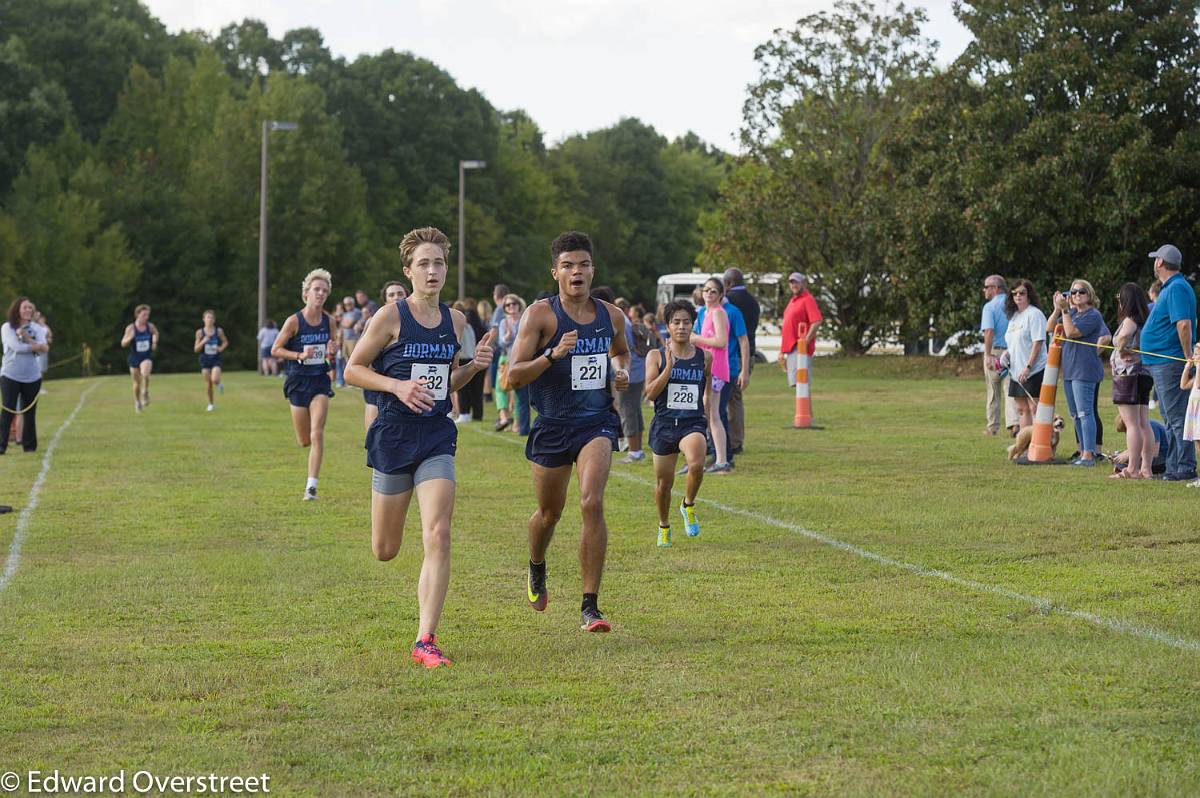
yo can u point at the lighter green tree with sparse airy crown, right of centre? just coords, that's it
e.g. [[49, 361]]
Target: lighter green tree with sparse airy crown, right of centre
[[831, 92]]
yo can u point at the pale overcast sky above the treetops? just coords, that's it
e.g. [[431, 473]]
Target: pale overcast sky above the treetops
[[574, 65]]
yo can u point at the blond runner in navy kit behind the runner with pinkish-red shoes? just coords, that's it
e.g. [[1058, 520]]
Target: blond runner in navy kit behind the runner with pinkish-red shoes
[[304, 345]]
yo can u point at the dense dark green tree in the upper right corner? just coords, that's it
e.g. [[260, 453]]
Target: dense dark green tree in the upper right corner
[[1083, 145]]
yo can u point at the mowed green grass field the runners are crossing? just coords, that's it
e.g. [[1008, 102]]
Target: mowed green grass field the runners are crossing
[[178, 609]]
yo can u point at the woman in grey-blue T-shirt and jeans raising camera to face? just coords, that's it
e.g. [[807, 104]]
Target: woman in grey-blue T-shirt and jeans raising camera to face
[[1082, 368]]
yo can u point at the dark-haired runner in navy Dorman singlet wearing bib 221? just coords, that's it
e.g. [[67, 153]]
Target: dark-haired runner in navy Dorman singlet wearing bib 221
[[572, 352]]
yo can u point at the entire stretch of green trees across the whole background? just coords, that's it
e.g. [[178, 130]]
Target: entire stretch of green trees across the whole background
[[1063, 143]]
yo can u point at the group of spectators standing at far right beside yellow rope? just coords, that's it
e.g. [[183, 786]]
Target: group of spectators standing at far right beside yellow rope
[[1151, 353]]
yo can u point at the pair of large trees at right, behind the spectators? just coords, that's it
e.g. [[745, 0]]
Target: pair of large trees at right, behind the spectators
[[1063, 143]]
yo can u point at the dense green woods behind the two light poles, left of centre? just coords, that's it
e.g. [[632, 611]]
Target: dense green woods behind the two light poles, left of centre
[[130, 173]]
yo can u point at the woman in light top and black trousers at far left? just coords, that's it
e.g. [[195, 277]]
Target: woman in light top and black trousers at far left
[[21, 376]]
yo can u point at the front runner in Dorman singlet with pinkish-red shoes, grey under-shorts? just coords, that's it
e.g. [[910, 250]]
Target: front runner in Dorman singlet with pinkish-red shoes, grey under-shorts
[[409, 355]]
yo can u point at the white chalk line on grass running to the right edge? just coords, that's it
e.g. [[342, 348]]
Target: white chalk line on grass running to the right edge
[[1042, 605]]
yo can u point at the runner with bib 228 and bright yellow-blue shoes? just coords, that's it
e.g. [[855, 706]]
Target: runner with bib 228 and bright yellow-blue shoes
[[680, 380]]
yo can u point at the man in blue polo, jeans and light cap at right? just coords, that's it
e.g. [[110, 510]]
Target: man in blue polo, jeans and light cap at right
[[1171, 333]]
